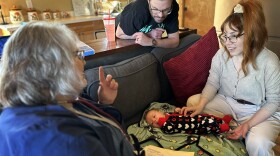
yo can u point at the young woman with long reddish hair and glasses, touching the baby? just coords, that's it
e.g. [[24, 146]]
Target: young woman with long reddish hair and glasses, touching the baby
[[244, 80]]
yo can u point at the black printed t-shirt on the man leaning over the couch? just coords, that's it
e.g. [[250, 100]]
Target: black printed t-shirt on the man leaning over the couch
[[136, 17]]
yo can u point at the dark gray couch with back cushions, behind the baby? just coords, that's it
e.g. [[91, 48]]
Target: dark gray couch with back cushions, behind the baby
[[141, 77]]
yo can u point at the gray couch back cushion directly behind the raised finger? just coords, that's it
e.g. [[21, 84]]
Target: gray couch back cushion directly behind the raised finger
[[138, 85]]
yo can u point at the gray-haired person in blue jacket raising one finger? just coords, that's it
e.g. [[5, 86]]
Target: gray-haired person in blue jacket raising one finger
[[41, 80]]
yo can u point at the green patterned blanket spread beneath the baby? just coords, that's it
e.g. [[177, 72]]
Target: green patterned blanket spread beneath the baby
[[202, 145]]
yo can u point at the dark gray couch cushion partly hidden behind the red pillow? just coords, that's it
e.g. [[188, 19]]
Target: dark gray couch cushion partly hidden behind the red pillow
[[163, 55]]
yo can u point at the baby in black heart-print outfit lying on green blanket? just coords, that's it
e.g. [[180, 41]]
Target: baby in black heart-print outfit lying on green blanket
[[177, 123]]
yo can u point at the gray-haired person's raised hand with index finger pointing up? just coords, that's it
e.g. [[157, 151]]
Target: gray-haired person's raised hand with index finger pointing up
[[108, 88]]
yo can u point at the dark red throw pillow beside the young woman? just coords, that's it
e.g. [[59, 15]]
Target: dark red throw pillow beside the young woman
[[188, 72]]
